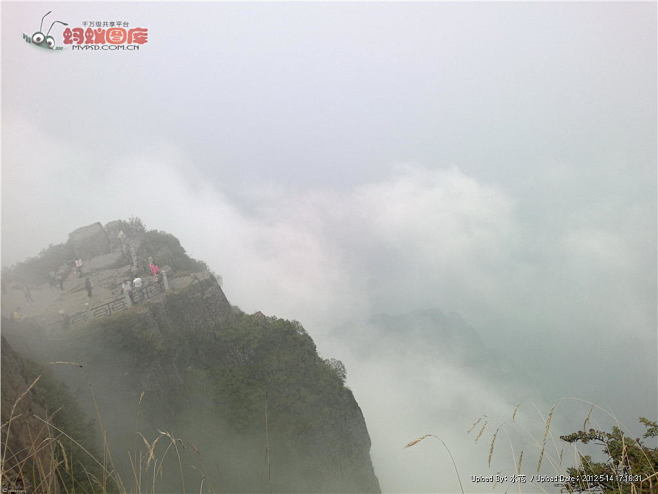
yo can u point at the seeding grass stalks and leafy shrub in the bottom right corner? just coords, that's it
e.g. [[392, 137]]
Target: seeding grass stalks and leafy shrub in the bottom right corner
[[622, 464]]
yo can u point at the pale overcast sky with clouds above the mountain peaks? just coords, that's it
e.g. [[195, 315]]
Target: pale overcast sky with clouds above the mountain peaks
[[336, 161]]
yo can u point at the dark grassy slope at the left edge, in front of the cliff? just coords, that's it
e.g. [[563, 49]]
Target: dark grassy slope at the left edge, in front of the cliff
[[36, 407]]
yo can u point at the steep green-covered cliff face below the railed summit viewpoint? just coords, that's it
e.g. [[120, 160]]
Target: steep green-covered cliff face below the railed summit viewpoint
[[243, 400]]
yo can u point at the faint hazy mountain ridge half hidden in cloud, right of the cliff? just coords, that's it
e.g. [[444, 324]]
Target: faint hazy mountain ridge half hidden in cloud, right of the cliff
[[427, 345]]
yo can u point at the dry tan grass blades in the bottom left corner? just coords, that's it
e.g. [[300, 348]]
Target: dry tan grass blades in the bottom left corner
[[45, 459]]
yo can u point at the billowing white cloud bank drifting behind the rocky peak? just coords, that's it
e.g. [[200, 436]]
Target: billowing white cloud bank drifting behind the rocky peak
[[414, 239]]
